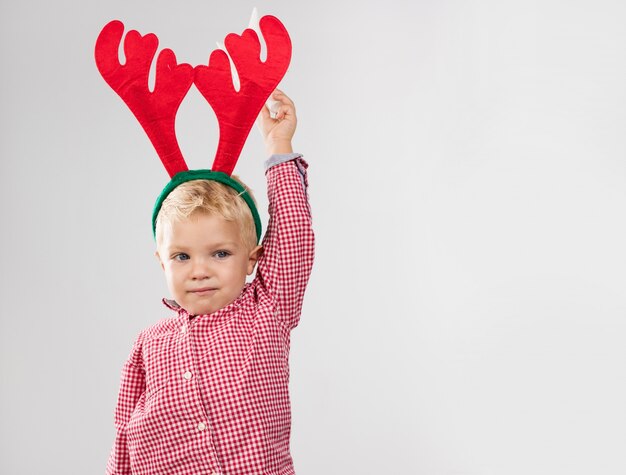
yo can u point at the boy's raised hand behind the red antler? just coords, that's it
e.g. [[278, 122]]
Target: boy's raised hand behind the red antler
[[278, 132]]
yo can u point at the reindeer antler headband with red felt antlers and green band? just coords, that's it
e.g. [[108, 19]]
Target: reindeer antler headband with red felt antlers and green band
[[236, 110]]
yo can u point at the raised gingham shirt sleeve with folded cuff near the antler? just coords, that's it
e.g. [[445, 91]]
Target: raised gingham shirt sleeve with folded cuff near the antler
[[288, 244]]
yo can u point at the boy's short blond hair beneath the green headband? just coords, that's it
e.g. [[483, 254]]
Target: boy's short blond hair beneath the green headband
[[210, 197]]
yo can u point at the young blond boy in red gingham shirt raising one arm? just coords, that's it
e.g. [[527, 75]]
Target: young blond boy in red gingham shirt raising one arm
[[206, 391]]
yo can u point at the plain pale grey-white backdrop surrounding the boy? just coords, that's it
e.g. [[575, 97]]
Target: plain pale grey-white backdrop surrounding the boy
[[468, 181]]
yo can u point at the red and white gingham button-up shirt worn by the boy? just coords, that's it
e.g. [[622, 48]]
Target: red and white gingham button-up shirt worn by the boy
[[209, 394]]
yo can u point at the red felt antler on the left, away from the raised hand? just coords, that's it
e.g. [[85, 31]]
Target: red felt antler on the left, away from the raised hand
[[156, 111]]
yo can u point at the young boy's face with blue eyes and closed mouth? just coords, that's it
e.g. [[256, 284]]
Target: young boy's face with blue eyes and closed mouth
[[205, 262]]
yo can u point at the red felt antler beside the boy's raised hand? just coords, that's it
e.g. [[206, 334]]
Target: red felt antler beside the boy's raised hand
[[236, 111]]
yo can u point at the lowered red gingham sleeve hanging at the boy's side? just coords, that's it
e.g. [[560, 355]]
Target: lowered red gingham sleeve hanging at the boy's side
[[131, 388]]
